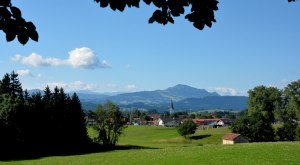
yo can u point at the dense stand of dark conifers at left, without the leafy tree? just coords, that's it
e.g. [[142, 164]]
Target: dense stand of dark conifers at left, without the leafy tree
[[39, 120]]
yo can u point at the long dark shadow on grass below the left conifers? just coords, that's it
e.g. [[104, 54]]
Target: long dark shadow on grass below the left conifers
[[30, 153]]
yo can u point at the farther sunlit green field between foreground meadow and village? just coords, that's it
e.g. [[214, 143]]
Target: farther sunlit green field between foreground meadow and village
[[162, 137]]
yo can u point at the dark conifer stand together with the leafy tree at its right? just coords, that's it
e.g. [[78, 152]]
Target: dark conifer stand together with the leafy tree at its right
[[51, 120]]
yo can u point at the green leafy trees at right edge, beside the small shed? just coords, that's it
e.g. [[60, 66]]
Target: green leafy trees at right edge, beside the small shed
[[272, 114]]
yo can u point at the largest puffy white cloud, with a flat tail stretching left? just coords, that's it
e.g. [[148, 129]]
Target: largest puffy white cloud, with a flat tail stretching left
[[83, 58]]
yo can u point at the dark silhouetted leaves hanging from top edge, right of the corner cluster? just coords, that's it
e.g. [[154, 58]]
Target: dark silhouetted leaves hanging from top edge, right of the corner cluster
[[201, 14]]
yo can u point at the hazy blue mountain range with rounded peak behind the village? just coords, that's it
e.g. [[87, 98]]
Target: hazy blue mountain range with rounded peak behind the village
[[185, 98]]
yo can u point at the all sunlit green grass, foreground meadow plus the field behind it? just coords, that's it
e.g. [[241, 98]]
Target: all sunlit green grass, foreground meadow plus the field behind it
[[164, 146]]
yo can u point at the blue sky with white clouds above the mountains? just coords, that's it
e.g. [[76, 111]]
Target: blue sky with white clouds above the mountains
[[84, 47]]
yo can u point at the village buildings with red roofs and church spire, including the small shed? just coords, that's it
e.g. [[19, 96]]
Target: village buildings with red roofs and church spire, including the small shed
[[170, 118]]
